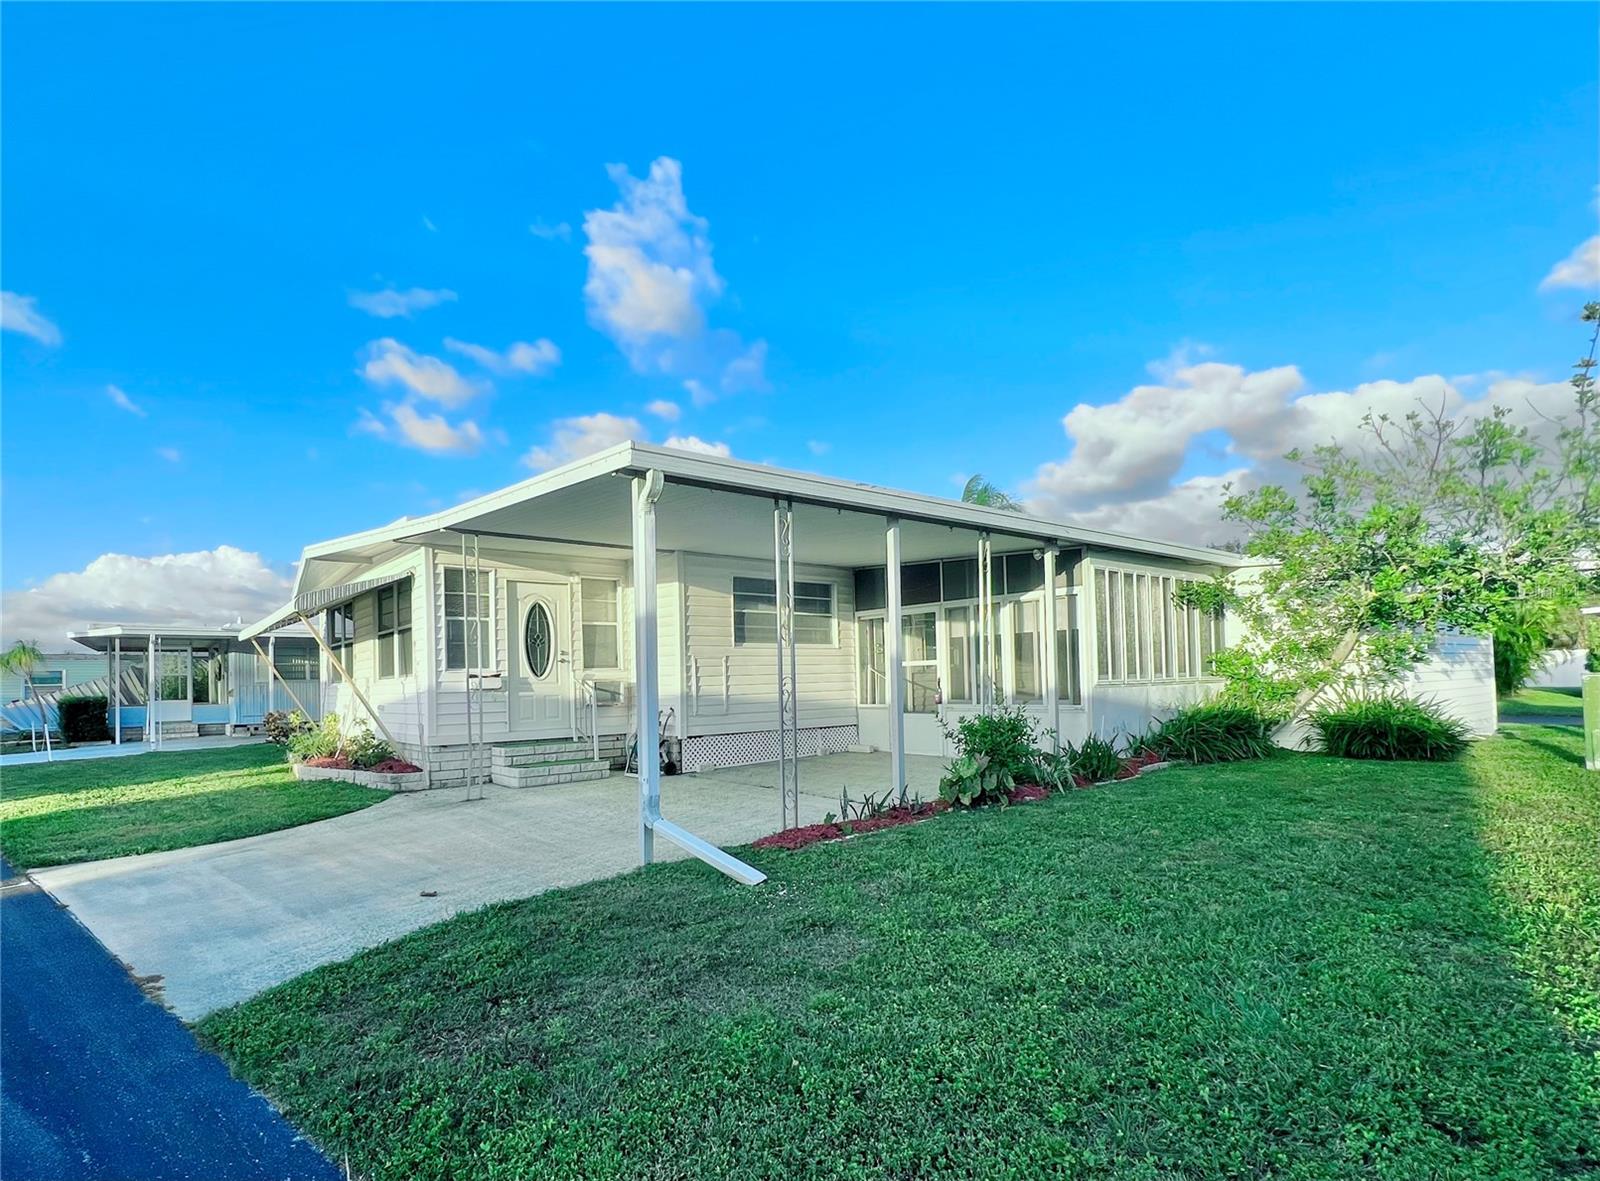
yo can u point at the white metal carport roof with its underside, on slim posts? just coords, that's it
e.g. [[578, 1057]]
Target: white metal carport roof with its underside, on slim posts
[[706, 508]]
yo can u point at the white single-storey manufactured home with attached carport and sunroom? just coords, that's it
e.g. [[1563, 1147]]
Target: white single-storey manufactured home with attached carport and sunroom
[[793, 615]]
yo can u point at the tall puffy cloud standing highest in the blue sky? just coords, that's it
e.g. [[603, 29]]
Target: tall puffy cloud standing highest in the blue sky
[[652, 281]]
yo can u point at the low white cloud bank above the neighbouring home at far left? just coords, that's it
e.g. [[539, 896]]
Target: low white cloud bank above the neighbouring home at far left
[[210, 586]]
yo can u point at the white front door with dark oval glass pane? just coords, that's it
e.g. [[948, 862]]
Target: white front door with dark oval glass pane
[[540, 683]]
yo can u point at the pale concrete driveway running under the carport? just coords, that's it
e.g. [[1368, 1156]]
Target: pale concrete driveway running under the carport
[[223, 923]]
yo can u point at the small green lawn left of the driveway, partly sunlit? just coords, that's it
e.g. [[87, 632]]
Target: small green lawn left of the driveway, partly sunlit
[[92, 809]]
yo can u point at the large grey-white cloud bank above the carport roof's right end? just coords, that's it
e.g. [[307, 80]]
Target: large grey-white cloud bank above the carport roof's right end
[[1129, 458]]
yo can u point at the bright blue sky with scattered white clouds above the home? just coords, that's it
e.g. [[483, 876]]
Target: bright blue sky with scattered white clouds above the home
[[889, 244]]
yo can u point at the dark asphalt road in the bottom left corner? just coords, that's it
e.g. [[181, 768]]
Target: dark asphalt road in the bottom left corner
[[100, 1083]]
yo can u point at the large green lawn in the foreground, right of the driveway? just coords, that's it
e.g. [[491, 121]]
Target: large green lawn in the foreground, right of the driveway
[[1297, 969]]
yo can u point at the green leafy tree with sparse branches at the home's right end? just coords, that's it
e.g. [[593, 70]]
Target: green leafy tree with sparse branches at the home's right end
[[1430, 524]]
